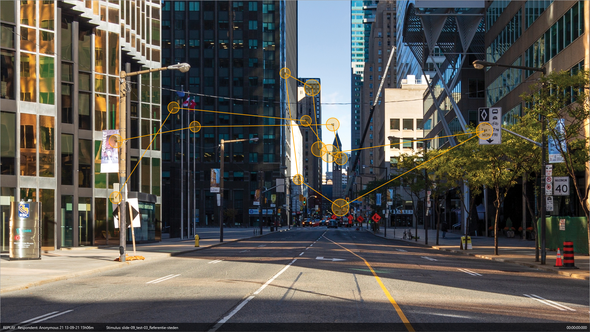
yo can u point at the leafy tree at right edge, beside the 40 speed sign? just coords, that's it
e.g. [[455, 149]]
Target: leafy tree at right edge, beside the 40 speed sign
[[564, 95]]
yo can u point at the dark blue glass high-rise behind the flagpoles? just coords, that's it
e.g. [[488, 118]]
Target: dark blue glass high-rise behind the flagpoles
[[236, 50]]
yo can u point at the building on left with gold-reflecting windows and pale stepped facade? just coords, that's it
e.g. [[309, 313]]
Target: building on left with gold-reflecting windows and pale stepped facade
[[60, 67]]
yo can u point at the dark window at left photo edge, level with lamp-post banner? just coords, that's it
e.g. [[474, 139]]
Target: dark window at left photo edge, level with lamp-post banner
[[7, 143]]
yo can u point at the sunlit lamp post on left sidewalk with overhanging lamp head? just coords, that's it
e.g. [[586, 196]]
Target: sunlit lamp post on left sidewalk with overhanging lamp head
[[183, 67]]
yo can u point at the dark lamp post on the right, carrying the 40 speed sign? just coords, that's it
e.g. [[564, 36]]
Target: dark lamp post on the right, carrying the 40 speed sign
[[479, 64]]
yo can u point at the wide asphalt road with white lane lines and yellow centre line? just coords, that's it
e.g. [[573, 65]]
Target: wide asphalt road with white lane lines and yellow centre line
[[311, 279]]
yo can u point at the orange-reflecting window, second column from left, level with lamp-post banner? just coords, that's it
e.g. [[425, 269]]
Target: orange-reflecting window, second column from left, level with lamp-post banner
[[28, 144]]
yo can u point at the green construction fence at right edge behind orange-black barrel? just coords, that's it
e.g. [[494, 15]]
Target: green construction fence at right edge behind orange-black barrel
[[575, 230]]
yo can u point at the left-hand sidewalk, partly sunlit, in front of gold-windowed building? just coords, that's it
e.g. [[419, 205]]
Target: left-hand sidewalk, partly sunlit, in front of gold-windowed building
[[68, 263]]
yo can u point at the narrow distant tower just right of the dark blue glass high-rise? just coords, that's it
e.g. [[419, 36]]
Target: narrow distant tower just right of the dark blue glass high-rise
[[310, 104]]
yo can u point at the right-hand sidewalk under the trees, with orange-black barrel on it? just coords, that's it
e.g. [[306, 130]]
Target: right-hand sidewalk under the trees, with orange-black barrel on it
[[511, 250]]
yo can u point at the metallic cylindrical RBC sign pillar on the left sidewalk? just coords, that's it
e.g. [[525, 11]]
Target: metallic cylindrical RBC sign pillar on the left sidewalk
[[25, 230]]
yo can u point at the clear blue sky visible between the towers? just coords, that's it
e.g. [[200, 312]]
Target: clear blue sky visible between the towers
[[324, 52]]
